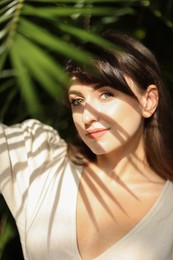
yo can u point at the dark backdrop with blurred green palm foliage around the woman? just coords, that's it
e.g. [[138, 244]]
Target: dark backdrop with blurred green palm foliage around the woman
[[37, 37]]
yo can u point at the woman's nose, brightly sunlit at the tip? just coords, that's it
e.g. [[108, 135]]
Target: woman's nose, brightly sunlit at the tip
[[90, 114]]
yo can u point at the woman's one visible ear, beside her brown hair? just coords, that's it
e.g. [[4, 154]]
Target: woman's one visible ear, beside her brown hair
[[150, 101]]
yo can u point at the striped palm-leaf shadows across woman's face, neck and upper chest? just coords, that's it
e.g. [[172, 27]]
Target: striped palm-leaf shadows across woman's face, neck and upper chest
[[95, 185]]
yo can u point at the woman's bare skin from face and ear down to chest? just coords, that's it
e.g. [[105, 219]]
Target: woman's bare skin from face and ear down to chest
[[119, 181]]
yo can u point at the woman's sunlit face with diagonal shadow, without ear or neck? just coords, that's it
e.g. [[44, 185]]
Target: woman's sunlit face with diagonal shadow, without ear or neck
[[105, 118]]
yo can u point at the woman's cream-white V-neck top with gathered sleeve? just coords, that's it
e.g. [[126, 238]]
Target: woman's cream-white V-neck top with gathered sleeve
[[40, 186]]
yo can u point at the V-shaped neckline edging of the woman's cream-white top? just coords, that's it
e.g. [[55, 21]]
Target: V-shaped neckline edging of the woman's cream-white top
[[127, 236]]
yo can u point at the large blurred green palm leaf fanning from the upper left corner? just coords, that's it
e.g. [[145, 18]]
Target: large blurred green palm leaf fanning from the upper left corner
[[45, 30]]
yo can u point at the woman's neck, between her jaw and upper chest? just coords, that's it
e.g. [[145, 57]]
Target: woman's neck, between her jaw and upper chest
[[124, 164]]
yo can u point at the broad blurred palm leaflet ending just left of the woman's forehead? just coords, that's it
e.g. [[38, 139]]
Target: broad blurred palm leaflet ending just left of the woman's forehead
[[41, 67]]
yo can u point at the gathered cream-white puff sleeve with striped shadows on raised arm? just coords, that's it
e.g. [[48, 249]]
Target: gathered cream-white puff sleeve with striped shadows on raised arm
[[25, 149]]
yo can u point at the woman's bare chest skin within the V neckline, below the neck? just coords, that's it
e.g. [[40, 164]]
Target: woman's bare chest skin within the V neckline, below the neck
[[105, 217]]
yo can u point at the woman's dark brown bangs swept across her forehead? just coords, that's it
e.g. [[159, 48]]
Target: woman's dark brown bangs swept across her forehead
[[104, 69]]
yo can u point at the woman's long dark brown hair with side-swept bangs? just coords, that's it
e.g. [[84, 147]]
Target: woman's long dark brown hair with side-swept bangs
[[131, 58]]
